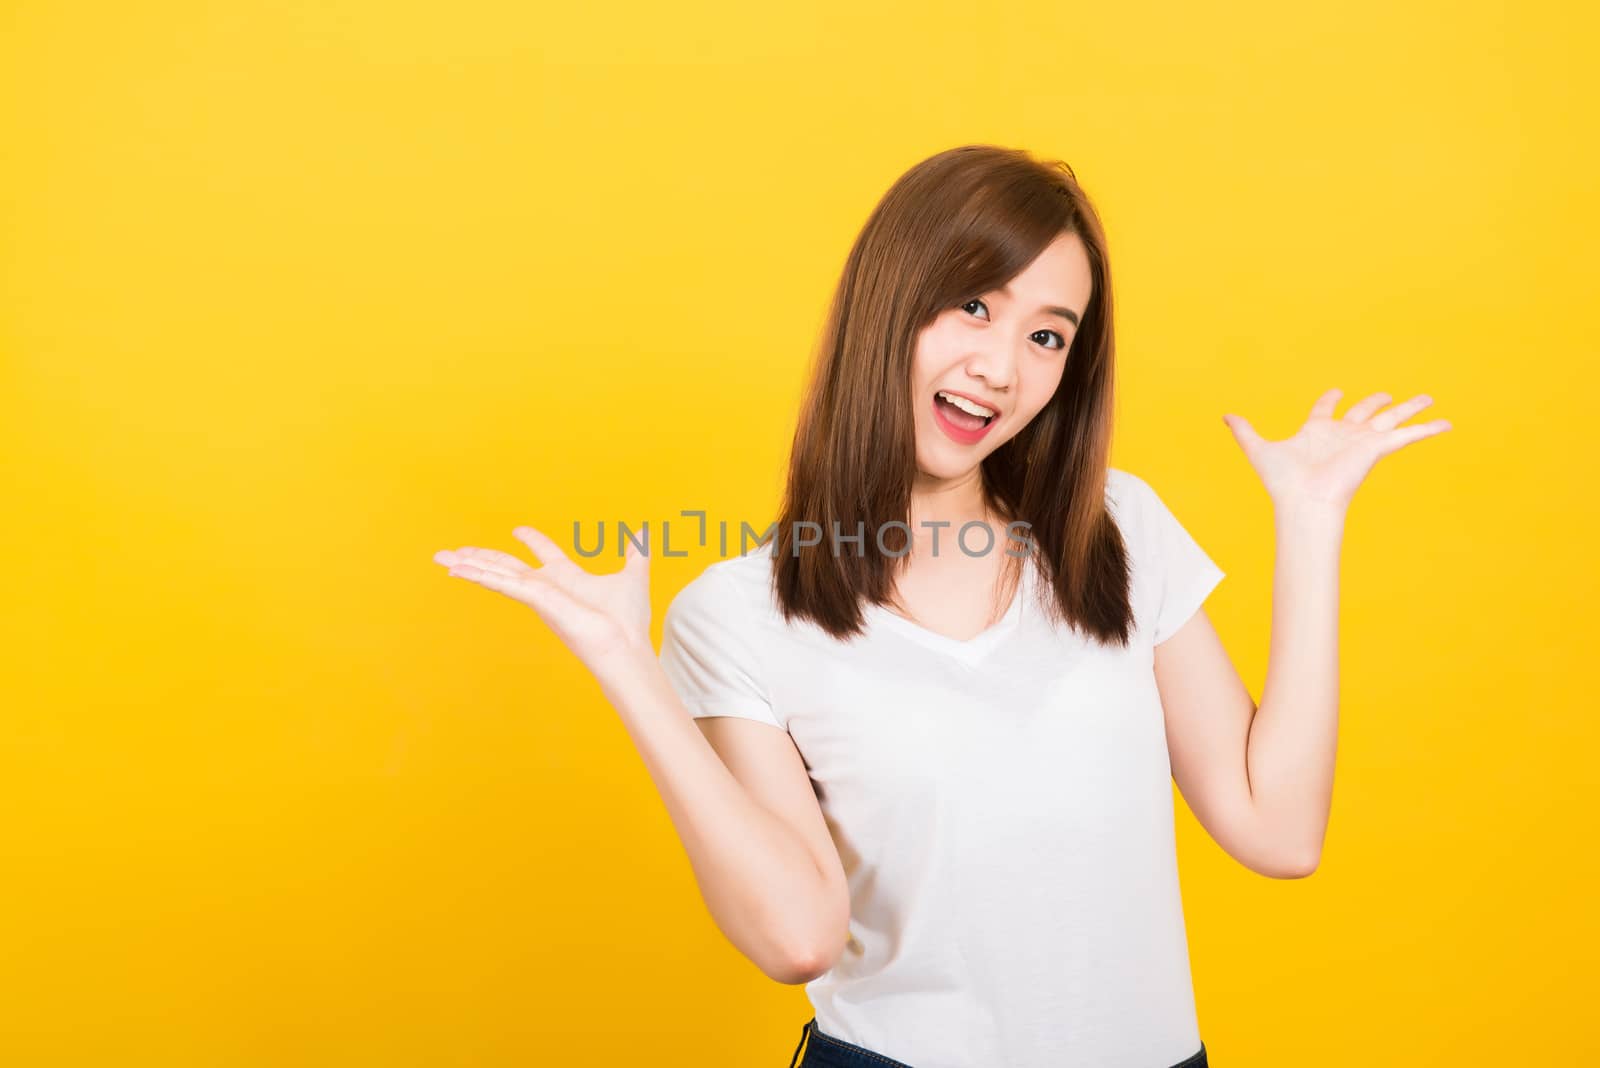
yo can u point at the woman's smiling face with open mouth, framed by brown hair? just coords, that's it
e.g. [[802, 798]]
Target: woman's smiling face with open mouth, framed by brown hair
[[1004, 353]]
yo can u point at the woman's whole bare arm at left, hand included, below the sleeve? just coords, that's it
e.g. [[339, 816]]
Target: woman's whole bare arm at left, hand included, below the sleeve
[[745, 811]]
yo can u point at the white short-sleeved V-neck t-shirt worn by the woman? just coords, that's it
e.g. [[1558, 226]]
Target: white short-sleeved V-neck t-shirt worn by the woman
[[1002, 808]]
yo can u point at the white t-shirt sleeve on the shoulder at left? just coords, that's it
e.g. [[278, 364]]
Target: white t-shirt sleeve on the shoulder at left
[[710, 655]]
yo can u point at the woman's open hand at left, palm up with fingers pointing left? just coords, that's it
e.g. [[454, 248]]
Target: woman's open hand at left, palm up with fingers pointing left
[[594, 616]]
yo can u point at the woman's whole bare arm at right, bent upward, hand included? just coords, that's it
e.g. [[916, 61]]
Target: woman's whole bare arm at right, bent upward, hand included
[[1262, 779]]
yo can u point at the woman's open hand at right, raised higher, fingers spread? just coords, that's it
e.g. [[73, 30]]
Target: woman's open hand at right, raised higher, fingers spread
[[1327, 460]]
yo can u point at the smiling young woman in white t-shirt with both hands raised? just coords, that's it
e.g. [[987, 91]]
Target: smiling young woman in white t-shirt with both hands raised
[[940, 711]]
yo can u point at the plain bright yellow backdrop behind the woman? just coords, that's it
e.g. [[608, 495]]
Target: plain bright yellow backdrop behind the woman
[[295, 295]]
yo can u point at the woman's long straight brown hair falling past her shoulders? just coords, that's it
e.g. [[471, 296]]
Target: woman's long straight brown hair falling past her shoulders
[[958, 225]]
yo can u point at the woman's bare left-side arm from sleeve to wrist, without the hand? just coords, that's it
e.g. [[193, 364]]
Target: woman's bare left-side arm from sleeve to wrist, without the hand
[[745, 810]]
